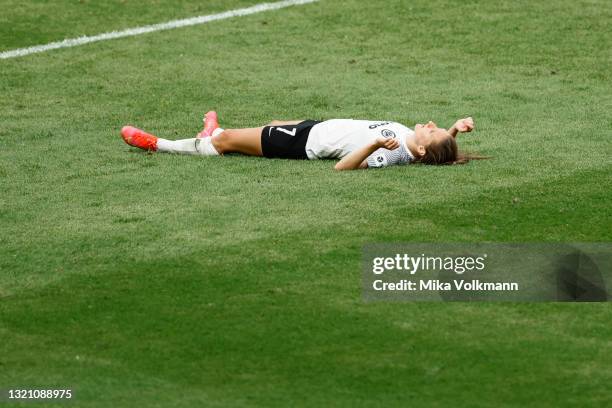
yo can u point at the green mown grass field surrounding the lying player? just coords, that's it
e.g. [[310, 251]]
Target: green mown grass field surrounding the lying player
[[157, 280]]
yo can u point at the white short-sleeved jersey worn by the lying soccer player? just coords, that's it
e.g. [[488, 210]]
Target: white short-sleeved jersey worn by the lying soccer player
[[334, 139]]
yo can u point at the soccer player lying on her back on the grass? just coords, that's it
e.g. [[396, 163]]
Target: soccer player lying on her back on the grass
[[359, 144]]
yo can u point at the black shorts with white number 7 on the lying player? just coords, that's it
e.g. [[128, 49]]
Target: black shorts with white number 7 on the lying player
[[287, 141]]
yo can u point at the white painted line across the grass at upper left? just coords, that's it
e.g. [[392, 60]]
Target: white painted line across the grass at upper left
[[73, 42]]
